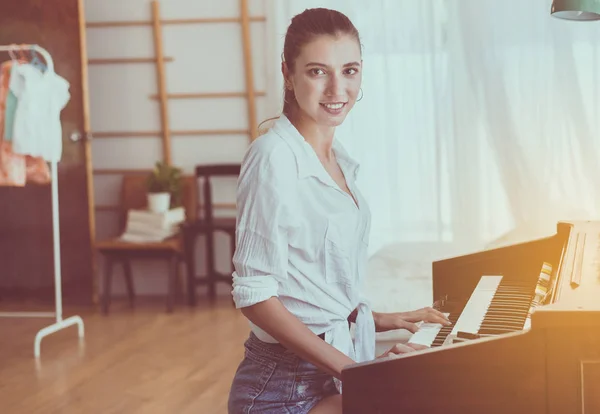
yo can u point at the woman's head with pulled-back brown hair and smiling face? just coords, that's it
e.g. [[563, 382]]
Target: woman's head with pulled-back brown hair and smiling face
[[322, 69]]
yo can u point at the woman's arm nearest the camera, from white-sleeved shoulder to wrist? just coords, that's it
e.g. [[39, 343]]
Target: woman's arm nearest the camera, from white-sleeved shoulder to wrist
[[265, 192]]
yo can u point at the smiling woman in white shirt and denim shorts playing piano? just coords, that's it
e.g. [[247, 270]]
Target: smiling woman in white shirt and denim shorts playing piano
[[302, 235]]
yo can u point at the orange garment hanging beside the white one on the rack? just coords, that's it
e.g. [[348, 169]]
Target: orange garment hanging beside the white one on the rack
[[16, 169]]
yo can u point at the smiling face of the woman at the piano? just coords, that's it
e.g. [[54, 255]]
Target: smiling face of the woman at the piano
[[327, 78]]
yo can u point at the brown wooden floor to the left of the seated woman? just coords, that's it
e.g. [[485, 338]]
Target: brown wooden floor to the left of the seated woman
[[132, 361]]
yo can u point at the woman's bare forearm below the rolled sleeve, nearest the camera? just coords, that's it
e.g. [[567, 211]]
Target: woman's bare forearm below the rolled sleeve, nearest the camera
[[271, 316]]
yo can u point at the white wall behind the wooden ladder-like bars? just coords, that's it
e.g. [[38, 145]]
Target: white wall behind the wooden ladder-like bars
[[207, 58]]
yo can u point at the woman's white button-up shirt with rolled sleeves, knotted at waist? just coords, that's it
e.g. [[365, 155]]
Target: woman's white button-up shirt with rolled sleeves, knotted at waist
[[303, 239]]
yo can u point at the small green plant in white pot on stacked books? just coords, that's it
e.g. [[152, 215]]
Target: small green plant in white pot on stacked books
[[164, 188]]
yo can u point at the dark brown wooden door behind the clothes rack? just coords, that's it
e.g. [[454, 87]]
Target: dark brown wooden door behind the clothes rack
[[26, 252]]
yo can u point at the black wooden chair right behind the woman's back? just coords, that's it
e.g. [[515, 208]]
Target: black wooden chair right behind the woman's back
[[208, 225]]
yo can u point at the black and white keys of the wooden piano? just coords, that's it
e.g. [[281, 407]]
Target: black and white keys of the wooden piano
[[496, 306]]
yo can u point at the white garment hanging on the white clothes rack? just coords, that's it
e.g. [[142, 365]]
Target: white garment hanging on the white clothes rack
[[41, 96]]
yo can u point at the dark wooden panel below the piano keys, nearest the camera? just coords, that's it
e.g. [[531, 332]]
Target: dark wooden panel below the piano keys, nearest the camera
[[502, 375]]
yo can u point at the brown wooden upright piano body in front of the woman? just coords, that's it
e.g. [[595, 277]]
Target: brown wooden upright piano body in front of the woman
[[551, 365]]
